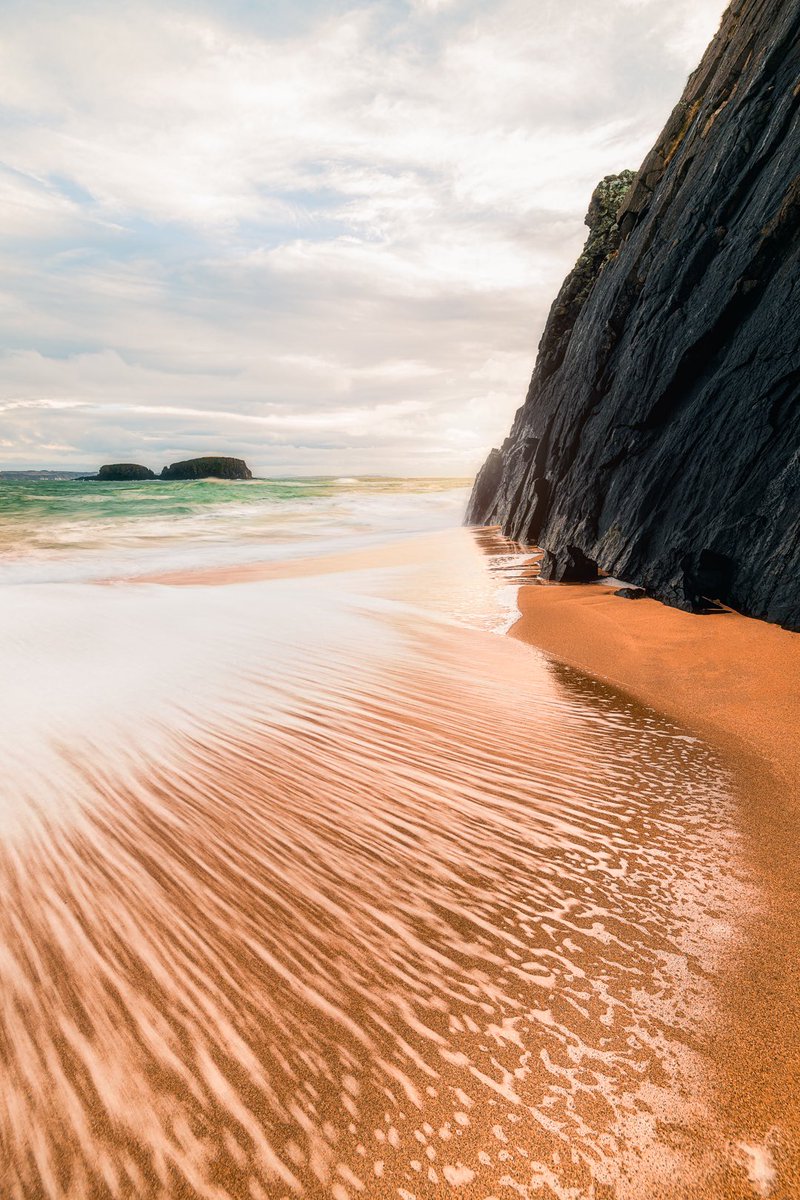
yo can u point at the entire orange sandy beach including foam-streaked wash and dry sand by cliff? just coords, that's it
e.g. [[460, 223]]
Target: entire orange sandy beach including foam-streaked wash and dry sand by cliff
[[320, 885]]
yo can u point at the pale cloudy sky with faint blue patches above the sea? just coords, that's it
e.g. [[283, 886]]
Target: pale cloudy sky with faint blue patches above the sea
[[323, 237]]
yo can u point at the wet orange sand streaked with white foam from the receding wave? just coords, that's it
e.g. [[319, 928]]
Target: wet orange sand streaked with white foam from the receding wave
[[410, 914]]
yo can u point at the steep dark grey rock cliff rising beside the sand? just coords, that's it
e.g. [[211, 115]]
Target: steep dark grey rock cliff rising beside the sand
[[660, 440]]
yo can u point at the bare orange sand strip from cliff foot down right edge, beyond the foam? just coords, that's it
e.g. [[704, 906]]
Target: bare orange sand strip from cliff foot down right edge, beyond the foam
[[736, 682]]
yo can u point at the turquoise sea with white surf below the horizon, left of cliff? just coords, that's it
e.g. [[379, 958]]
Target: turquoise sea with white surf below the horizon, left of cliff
[[62, 530]]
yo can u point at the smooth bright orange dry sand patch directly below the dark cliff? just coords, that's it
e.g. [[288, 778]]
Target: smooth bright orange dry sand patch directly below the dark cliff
[[735, 679]]
